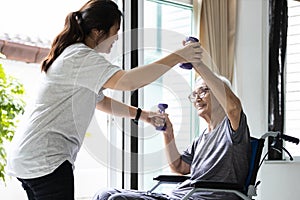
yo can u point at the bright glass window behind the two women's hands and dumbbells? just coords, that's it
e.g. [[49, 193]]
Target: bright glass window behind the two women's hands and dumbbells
[[166, 24]]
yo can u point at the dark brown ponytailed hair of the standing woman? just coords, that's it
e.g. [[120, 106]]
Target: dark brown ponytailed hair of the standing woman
[[99, 14]]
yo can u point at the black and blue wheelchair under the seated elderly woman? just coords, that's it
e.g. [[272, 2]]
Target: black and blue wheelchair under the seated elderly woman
[[249, 189]]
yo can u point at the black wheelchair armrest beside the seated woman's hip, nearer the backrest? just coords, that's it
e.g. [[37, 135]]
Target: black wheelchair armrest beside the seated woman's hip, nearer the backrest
[[216, 185]]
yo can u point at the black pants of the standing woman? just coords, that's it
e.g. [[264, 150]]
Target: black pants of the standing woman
[[59, 185]]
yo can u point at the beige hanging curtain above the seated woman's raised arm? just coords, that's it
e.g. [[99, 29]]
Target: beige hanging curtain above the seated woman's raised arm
[[215, 22]]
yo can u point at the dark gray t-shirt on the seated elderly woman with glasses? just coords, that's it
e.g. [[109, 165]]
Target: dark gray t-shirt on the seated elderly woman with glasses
[[221, 155]]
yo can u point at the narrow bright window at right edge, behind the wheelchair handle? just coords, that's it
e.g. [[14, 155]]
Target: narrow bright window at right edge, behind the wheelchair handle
[[292, 102]]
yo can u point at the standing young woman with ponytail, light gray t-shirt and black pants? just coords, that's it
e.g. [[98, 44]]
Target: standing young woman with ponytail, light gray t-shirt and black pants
[[75, 74]]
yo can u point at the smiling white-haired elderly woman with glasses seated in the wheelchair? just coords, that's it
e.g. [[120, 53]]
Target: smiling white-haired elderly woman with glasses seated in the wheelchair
[[220, 153]]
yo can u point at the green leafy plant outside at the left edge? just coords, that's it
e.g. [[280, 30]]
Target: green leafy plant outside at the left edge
[[11, 106]]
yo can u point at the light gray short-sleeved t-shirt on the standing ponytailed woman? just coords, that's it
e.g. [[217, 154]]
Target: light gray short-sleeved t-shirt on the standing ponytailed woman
[[54, 128]]
